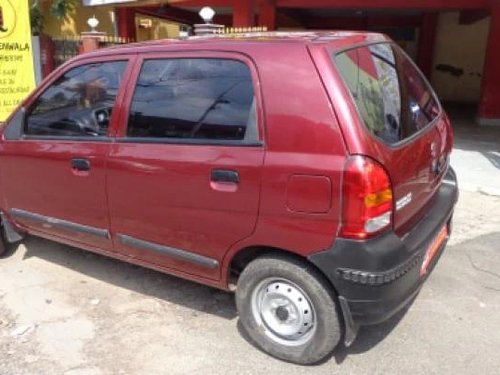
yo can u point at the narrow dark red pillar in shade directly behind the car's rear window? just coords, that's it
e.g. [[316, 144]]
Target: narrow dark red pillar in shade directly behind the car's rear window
[[426, 43]]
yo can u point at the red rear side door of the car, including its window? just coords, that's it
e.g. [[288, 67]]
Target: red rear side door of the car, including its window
[[184, 175]]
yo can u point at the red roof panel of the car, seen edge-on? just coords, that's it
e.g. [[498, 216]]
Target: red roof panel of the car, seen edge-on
[[234, 41]]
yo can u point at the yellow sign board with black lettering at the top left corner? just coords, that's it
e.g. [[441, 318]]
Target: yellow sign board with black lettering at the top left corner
[[17, 73]]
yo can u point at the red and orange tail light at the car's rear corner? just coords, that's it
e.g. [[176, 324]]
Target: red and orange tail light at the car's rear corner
[[367, 198]]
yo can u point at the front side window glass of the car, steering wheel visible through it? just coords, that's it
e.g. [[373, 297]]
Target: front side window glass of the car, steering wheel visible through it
[[77, 104]]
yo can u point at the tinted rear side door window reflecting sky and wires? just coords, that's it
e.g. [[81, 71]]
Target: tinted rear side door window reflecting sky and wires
[[193, 98]]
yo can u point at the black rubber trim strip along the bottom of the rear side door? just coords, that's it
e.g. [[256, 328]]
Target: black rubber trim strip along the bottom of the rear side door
[[199, 260]]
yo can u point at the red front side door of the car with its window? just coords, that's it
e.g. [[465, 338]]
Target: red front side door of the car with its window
[[53, 168]]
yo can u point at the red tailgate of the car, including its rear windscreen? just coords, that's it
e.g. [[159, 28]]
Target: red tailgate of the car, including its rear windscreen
[[401, 121]]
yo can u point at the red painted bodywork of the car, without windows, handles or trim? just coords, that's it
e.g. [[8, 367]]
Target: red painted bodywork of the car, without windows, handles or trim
[[290, 192]]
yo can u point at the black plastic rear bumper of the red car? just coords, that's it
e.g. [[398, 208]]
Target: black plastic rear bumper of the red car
[[378, 277]]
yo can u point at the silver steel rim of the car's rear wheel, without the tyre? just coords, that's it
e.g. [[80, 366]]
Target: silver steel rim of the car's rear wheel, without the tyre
[[284, 311]]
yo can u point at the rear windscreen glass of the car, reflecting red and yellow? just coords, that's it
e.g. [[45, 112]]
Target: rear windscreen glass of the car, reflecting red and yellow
[[392, 97]]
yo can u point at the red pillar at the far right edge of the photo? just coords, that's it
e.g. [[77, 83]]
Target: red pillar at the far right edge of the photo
[[489, 105]]
